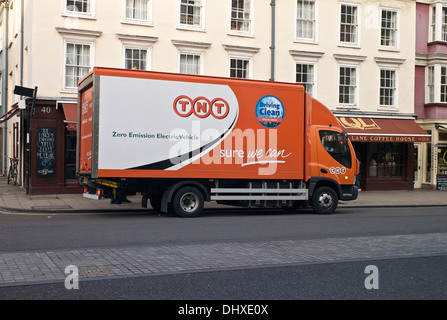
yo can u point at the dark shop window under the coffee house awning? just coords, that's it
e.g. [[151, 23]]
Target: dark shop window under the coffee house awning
[[386, 159]]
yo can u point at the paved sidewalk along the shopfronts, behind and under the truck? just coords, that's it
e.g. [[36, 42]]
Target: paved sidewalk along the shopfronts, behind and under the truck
[[14, 199]]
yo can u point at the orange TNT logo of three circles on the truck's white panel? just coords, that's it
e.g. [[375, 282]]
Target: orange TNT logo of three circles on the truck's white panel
[[184, 106]]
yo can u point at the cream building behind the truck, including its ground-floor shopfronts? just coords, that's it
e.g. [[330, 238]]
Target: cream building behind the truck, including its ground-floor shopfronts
[[357, 57]]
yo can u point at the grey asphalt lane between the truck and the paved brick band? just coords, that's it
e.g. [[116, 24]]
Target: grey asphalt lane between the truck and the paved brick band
[[63, 231]]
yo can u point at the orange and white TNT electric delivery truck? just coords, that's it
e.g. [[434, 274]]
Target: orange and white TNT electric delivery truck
[[182, 140]]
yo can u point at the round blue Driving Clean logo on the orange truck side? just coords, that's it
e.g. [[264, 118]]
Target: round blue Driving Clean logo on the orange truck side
[[270, 111]]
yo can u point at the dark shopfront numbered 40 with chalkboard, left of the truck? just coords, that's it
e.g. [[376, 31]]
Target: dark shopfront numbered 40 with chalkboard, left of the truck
[[52, 148]]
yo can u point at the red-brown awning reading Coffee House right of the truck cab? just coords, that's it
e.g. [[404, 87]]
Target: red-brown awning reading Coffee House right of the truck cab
[[364, 129]]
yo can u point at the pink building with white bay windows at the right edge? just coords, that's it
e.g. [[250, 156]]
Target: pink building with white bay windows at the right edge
[[431, 89]]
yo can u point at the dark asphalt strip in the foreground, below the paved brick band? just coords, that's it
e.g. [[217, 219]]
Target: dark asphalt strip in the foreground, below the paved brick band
[[421, 278]]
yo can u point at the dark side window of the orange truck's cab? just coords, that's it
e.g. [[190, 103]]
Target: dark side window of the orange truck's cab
[[334, 143]]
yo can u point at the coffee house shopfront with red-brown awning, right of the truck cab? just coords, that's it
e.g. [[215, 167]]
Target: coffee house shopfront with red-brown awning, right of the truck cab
[[385, 148]]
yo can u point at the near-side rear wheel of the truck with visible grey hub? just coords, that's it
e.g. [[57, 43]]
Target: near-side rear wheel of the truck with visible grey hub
[[188, 202]]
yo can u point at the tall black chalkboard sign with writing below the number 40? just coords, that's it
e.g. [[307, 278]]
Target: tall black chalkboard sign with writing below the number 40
[[46, 153]]
